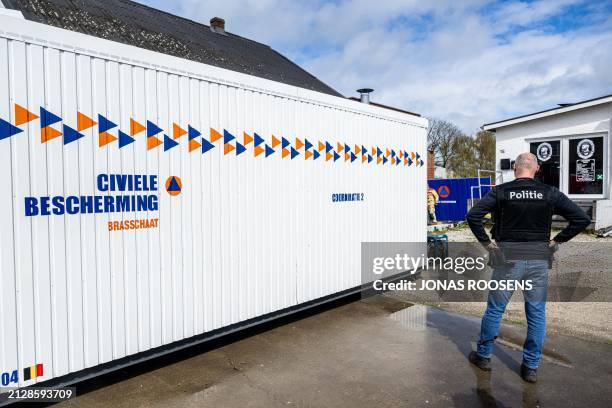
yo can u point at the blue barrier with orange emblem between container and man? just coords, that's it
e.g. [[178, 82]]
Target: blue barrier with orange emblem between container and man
[[454, 195]]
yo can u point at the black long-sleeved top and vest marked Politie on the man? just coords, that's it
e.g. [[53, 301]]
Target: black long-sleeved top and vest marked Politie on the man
[[522, 211]]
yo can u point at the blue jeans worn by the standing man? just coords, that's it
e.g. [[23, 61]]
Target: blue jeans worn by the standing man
[[535, 309]]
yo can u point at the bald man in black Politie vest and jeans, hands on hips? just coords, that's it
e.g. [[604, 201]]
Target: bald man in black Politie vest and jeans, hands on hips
[[522, 211]]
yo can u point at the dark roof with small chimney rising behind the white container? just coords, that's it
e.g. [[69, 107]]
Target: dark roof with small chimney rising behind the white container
[[135, 24]]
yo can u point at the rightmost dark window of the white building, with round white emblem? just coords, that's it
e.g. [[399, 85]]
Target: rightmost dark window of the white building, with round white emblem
[[586, 166]]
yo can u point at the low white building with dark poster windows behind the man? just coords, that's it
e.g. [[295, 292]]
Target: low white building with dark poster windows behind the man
[[572, 143]]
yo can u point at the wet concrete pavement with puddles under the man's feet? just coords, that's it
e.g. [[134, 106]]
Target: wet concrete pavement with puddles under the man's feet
[[378, 352]]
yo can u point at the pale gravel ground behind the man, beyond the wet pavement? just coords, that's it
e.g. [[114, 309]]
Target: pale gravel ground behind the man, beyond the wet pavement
[[587, 320]]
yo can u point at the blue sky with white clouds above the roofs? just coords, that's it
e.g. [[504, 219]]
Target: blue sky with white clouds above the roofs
[[468, 61]]
